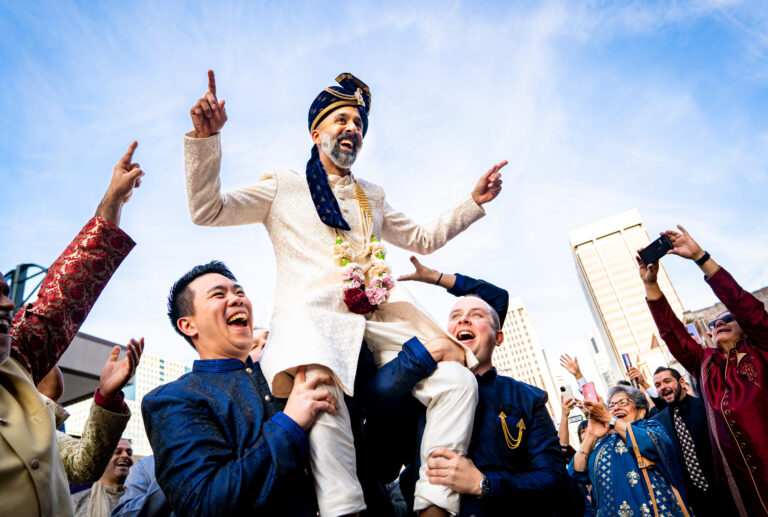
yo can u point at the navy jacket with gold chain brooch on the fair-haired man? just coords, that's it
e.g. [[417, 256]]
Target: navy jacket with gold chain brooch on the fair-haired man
[[514, 441]]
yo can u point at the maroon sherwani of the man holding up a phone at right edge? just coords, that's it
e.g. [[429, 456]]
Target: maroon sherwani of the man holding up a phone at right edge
[[734, 388]]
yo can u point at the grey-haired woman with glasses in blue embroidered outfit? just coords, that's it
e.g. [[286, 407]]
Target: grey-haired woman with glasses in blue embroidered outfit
[[608, 457]]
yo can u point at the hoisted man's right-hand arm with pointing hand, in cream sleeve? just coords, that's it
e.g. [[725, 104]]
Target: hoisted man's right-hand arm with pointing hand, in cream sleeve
[[401, 231]]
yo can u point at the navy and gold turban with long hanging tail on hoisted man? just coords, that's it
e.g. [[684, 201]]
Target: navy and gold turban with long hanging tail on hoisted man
[[351, 92]]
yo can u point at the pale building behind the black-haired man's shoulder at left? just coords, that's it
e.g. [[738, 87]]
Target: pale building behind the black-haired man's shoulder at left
[[152, 372]]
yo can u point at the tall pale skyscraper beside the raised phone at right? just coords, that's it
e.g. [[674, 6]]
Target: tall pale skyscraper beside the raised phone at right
[[604, 252]]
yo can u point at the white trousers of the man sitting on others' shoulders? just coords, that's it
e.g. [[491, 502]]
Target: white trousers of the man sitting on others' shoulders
[[449, 394]]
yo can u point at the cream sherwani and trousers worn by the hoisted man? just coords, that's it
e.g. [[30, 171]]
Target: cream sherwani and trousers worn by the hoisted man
[[311, 325]]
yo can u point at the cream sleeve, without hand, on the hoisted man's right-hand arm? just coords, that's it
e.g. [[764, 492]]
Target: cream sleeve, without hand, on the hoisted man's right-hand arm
[[401, 231]]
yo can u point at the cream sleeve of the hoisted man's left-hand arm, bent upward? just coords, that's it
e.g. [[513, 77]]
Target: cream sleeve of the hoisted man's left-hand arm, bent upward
[[208, 205]]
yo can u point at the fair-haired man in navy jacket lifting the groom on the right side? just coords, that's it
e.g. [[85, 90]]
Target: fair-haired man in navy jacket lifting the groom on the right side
[[514, 463]]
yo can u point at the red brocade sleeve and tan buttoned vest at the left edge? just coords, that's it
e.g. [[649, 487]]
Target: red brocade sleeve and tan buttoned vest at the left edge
[[32, 475]]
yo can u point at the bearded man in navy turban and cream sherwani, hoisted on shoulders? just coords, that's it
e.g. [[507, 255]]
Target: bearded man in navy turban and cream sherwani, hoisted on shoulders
[[333, 283]]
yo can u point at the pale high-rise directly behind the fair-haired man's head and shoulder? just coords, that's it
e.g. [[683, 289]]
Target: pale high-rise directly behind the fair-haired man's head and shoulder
[[520, 355]]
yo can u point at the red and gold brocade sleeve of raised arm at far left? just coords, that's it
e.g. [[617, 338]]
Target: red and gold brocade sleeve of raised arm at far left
[[42, 330]]
